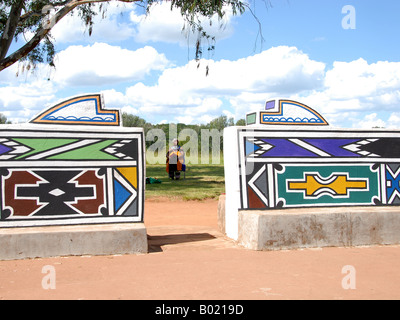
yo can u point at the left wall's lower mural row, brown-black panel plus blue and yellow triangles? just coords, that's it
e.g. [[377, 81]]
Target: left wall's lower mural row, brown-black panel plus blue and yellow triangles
[[47, 193]]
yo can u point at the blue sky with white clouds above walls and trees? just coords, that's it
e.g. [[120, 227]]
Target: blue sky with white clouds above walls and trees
[[144, 66]]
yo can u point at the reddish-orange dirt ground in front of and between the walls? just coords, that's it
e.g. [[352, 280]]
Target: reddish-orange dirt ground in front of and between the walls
[[190, 259]]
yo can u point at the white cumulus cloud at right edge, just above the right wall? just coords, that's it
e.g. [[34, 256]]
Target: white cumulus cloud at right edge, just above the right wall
[[355, 92]]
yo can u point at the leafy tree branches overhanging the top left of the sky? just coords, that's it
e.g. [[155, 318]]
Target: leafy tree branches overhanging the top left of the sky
[[39, 17]]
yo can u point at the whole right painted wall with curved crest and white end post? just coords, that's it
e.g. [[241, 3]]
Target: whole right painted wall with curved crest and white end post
[[289, 157]]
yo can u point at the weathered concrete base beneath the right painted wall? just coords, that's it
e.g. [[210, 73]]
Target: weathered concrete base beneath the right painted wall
[[319, 227]]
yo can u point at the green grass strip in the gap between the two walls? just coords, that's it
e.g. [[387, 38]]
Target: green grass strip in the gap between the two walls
[[201, 182]]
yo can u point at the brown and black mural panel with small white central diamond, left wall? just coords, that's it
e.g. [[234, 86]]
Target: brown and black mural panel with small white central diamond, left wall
[[42, 192]]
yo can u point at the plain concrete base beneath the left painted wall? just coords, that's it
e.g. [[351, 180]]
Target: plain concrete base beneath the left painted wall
[[101, 239]]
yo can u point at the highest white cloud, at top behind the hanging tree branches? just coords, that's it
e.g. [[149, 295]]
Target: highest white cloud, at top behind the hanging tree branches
[[122, 21]]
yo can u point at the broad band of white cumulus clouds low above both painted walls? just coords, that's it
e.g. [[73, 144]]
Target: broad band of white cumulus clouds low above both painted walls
[[348, 94]]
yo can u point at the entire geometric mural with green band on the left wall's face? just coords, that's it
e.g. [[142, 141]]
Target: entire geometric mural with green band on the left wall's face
[[54, 179]]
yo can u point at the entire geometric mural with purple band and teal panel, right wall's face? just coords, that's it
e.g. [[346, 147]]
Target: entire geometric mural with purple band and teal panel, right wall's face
[[322, 168]]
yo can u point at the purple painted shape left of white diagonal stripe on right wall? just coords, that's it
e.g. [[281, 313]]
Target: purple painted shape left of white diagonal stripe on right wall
[[285, 148]]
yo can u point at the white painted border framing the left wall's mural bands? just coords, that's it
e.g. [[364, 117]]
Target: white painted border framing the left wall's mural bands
[[95, 132]]
